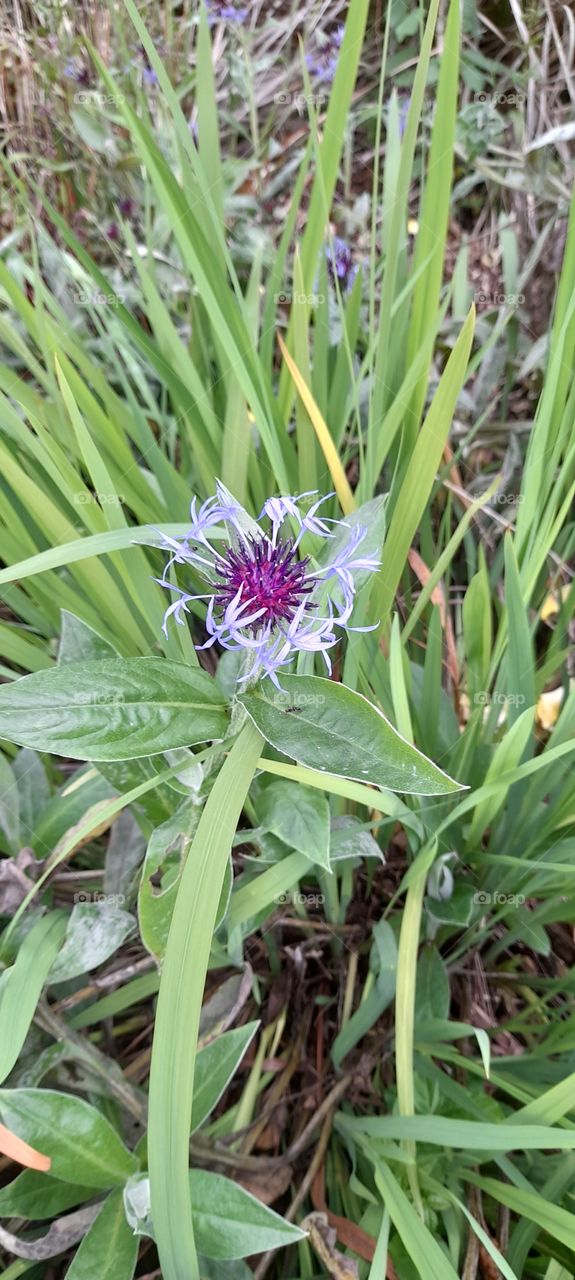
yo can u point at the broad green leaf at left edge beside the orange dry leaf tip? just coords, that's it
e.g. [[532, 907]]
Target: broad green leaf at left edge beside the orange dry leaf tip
[[80, 1141]]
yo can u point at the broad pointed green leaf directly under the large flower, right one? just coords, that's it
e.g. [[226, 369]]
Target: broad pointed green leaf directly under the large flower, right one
[[332, 729]]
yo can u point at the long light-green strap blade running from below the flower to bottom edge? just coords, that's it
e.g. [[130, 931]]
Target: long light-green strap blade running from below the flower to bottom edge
[[180, 1005]]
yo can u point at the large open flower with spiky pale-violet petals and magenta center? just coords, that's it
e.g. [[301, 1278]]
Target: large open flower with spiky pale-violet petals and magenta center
[[263, 597]]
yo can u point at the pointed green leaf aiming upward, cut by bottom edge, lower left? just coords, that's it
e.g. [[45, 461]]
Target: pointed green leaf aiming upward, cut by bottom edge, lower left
[[109, 1249]]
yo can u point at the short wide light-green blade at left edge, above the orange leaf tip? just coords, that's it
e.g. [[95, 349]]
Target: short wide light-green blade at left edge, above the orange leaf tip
[[21, 986]]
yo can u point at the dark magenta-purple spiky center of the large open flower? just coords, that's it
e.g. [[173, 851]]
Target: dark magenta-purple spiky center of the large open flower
[[271, 578]]
